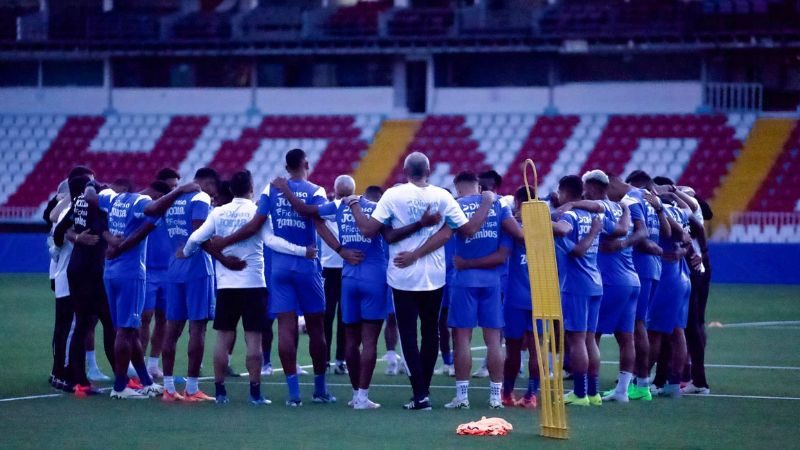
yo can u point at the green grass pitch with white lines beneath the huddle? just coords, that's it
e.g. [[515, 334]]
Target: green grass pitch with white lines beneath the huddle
[[735, 418]]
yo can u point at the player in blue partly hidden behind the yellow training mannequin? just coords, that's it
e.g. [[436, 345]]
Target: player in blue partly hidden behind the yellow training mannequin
[[518, 315]]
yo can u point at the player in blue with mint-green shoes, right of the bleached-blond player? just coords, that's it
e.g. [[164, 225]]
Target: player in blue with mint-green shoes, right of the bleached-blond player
[[646, 261]]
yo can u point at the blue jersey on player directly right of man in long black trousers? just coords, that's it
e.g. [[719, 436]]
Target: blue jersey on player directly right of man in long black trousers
[[483, 243]]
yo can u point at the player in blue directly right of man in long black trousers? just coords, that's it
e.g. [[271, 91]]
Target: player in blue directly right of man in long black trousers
[[475, 291]]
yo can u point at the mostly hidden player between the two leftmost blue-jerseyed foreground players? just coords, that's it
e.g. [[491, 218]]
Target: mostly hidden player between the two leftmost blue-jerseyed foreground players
[[159, 250]]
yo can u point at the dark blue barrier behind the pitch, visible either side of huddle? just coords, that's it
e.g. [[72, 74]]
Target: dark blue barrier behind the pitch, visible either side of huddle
[[731, 263]]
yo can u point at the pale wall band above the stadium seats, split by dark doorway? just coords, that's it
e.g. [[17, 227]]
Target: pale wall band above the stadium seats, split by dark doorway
[[573, 98]]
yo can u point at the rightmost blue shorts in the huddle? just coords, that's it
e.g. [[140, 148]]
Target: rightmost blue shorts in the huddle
[[670, 306]]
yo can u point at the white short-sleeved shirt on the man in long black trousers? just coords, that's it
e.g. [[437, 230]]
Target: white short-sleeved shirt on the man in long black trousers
[[403, 205]]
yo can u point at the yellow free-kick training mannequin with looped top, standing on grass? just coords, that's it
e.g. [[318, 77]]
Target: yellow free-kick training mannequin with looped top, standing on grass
[[546, 303]]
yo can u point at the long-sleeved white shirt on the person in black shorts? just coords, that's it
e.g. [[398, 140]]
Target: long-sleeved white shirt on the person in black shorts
[[224, 221]]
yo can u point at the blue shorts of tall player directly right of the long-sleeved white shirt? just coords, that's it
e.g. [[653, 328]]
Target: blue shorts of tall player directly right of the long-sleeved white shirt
[[294, 291]]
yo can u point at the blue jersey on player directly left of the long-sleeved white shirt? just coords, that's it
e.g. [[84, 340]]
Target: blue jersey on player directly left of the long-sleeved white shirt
[[178, 219]]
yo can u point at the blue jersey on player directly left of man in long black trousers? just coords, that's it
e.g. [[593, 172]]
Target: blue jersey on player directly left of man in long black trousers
[[373, 267]]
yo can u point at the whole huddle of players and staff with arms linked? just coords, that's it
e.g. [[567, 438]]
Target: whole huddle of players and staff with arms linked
[[427, 261]]
